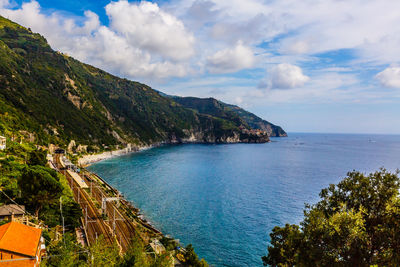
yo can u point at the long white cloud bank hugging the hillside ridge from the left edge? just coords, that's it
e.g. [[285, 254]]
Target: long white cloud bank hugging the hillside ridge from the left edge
[[142, 40]]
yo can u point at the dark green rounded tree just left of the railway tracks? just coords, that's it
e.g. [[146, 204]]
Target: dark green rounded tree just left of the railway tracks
[[39, 186]]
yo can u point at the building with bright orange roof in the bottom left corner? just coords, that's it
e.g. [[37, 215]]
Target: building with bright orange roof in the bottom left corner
[[20, 245]]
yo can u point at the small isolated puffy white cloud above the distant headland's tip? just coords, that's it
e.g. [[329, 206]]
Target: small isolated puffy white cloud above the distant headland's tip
[[286, 76]]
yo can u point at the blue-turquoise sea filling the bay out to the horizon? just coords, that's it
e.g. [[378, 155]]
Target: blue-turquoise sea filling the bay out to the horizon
[[225, 199]]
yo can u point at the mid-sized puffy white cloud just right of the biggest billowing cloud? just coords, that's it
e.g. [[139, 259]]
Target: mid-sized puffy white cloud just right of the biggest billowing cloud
[[231, 59]]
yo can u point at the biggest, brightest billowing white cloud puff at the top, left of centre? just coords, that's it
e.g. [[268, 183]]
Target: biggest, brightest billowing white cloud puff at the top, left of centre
[[146, 26]]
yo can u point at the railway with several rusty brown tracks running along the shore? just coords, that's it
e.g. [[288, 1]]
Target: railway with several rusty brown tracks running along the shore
[[102, 216]]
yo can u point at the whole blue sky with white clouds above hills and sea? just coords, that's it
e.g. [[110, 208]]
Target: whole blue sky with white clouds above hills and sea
[[309, 66]]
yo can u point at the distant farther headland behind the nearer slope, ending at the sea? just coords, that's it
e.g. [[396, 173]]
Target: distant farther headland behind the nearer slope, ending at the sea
[[217, 108]]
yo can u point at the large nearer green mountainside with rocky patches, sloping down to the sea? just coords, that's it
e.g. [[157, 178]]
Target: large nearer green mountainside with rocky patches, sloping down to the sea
[[50, 97]]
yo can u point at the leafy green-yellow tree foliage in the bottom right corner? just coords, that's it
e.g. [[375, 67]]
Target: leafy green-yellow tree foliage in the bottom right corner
[[356, 223]]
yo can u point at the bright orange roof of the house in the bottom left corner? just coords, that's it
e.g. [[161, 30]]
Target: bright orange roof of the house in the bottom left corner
[[20, 238]]
